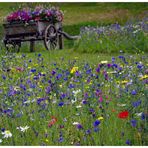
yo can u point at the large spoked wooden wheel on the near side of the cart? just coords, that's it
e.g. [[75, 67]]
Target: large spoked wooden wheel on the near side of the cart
[[50, 37]]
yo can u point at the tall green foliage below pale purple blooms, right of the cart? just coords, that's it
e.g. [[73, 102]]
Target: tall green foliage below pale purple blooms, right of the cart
[[113, 42]]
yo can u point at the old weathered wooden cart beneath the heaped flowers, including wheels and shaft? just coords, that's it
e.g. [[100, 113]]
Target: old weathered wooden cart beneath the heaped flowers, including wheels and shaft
[[50, 33]]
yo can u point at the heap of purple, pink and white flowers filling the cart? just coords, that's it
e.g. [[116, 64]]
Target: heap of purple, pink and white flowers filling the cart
[[40, 13]]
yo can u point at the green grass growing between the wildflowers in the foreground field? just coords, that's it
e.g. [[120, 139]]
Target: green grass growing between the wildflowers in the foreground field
[[110, 128]]
